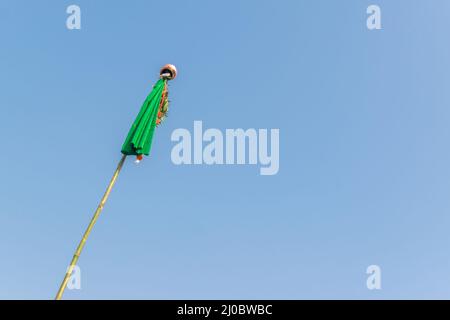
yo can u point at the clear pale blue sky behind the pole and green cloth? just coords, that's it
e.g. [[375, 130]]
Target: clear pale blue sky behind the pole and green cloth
[[364, 149]]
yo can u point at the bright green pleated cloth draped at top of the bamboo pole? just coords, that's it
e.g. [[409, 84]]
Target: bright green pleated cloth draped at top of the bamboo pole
[[139, 138]]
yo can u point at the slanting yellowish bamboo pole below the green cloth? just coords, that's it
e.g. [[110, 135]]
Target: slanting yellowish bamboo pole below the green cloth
[[89, 229]]
